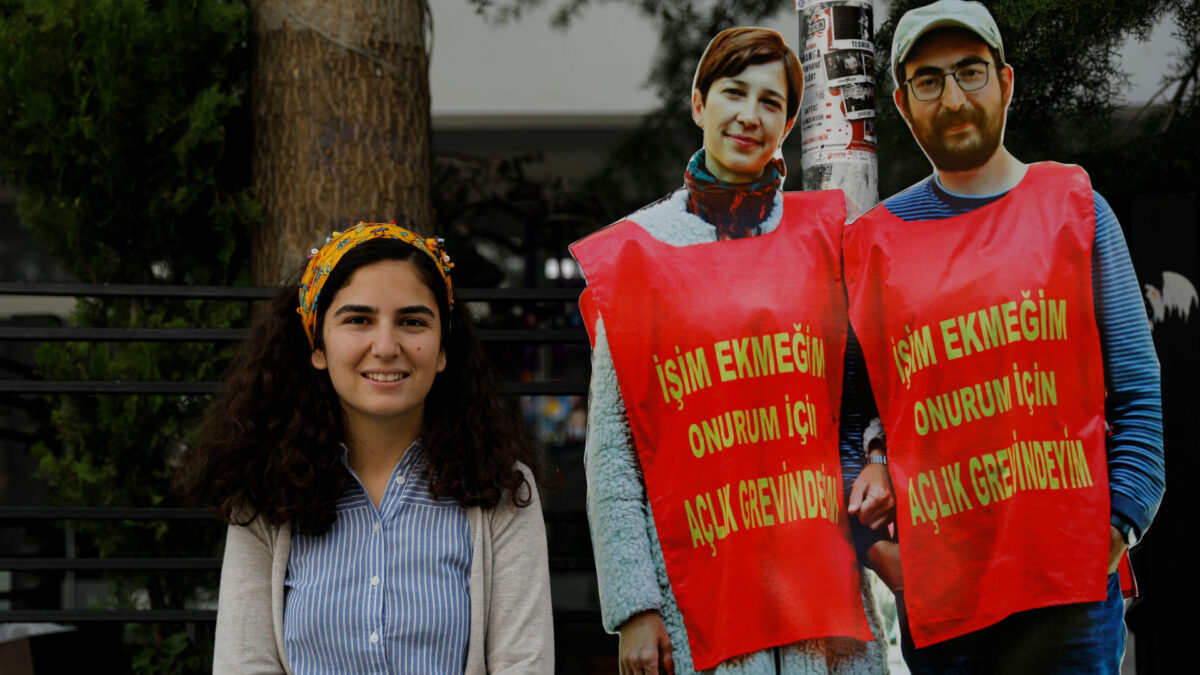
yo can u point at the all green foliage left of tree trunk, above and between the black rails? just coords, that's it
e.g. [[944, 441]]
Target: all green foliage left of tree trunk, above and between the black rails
[[124, 124]]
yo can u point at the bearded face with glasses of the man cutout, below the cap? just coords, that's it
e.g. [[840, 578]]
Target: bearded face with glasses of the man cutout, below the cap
[[958, 130]]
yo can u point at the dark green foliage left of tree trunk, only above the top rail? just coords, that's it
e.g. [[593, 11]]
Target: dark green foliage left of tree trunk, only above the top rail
[[116, 120]]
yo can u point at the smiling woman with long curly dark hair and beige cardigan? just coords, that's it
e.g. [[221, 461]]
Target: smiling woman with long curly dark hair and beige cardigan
[[383, 515]]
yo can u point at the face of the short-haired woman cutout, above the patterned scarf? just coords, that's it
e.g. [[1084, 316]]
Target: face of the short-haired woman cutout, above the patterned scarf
[[745, 120]]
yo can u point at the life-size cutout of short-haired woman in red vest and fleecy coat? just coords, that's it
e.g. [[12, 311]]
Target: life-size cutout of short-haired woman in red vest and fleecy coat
[[713, 314]]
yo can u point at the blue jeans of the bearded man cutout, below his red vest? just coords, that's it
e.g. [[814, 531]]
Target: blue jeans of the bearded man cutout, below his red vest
[[1069, 640]]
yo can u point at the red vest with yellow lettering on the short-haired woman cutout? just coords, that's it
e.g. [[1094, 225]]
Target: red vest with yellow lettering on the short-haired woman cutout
[[729, 357]]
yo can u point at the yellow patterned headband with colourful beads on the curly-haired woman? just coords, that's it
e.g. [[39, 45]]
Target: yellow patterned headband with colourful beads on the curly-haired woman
[[323, 261]]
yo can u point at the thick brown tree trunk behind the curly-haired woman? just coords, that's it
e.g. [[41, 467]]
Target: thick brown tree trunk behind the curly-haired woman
[[341, 106]]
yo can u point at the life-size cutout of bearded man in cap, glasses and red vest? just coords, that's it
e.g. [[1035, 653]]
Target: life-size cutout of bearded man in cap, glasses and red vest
[[1009, 349]]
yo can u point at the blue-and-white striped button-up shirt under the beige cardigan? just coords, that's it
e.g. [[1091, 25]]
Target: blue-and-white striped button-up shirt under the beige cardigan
[[386, 590]]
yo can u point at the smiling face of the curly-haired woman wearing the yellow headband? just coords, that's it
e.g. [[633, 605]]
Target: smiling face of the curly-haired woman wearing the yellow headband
[[382, 345]]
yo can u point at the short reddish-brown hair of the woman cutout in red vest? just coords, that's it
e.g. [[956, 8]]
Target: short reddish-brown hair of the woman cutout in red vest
[[736, 49]]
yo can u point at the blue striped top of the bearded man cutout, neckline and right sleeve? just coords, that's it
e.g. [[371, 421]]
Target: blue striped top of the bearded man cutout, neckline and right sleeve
[[1135, 407]]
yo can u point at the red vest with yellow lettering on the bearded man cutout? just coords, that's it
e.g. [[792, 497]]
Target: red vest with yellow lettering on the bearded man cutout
[[983, 351]]
